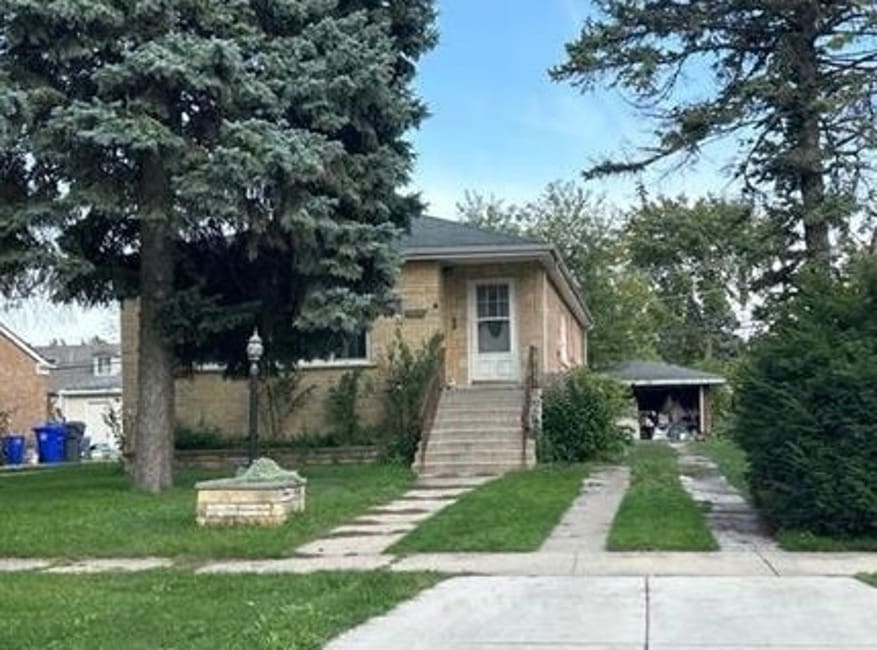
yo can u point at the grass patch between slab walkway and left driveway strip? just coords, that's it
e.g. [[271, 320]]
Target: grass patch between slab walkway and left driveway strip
[[513, 513]]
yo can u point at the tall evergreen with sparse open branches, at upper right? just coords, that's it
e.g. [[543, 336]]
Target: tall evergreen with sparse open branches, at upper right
[[793, 80]]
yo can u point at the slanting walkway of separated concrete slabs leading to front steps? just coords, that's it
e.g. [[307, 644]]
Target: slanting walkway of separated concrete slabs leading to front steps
[[383, 526]]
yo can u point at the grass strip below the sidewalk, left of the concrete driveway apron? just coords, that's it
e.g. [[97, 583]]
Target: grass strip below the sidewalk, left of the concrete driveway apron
[[171, 609]]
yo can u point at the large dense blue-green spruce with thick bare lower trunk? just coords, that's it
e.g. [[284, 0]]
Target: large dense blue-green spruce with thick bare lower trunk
[[156, 131]]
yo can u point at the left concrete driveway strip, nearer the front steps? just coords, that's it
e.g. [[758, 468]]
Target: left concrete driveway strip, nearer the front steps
[[586, 524]]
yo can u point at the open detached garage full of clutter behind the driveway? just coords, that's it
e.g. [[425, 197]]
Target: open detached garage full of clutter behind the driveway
[[671, 400]]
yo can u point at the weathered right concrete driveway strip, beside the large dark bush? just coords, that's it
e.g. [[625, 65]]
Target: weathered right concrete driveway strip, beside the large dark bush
[[735, 524]]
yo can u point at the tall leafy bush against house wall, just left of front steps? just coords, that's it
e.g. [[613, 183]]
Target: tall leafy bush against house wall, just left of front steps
[[408, 372]]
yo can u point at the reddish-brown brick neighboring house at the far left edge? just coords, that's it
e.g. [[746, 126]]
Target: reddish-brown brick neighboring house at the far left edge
[[24, 383]]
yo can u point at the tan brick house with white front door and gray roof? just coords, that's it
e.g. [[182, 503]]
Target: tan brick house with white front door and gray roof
[[492, 296]]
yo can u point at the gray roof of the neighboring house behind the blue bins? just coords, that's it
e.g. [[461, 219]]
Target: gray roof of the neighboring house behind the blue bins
[[74, 366]]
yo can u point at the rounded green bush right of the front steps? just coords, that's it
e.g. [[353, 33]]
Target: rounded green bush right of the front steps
[[580, 413]]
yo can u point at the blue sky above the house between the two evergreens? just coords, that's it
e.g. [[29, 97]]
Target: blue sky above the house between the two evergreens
[[500, 126]]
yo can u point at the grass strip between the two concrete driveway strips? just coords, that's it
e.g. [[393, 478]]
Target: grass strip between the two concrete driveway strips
[[656, 513]]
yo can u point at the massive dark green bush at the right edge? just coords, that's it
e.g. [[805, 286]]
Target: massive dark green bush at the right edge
[[806, 409]]
